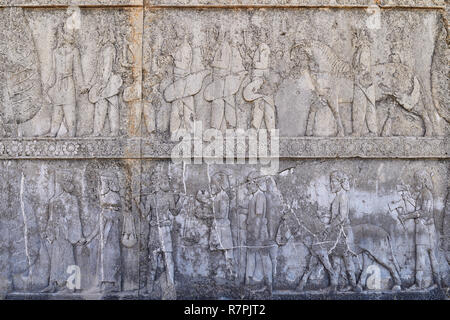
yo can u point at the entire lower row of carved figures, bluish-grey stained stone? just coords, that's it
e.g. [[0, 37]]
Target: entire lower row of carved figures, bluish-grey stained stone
[[232, 228]]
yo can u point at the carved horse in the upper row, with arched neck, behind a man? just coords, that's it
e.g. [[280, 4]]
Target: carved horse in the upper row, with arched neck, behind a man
[[392, 80]]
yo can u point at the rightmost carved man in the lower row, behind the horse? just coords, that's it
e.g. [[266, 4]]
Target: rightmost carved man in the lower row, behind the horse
[[425, 230]]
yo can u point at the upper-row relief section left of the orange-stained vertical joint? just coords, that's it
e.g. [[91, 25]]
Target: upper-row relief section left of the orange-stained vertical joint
[[78, 82]]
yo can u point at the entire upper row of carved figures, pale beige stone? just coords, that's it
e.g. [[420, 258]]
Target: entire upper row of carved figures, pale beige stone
[[261, 73]]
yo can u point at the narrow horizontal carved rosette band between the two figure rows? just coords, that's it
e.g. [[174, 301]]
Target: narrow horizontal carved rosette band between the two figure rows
[[290, 148]]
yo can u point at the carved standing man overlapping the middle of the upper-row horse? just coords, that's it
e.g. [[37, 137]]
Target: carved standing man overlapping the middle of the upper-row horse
[[364, 90]]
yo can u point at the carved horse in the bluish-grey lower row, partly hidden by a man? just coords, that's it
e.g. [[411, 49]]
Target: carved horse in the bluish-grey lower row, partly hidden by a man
[[369, 239]]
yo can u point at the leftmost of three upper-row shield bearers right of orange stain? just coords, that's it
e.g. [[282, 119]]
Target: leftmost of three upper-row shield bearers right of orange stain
[[188, 75]]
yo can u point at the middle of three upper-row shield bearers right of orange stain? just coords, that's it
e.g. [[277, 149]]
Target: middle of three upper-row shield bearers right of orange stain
[[228, 73]]
